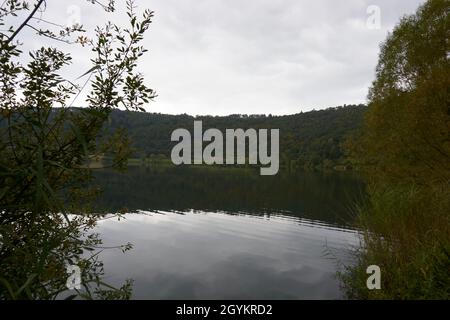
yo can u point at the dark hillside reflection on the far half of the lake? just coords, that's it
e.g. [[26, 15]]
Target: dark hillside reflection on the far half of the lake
[[326, 197]]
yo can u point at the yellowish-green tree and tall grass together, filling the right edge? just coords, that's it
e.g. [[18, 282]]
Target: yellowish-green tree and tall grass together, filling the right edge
[[404, 147]]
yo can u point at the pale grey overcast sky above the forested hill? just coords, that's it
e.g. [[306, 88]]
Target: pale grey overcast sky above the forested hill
[[253, 56]]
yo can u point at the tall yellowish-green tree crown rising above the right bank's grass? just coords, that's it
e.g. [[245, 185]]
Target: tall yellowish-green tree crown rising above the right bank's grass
[[406, 135]]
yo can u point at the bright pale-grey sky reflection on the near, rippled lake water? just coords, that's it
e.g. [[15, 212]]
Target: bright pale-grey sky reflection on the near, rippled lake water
[[220, 256]]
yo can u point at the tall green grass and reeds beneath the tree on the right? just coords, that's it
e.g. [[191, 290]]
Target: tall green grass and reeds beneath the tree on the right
[[408, 237]]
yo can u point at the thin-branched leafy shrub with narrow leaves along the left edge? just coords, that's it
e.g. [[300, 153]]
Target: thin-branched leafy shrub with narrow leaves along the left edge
[[45, 144]]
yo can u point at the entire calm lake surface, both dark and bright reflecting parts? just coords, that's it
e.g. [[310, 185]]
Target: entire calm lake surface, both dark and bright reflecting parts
[[213, 233]]
